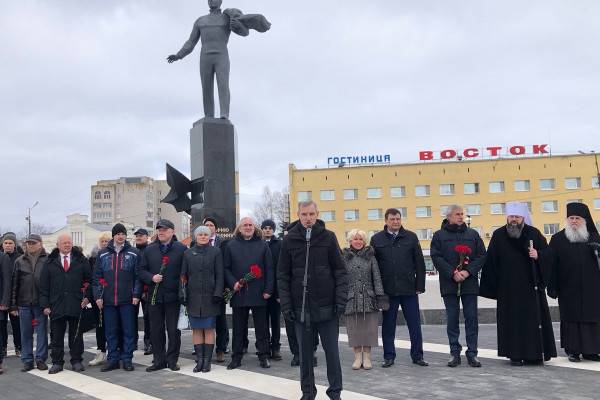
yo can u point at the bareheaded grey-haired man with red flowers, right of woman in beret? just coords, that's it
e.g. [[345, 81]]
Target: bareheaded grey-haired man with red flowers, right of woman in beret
[[245, 251]]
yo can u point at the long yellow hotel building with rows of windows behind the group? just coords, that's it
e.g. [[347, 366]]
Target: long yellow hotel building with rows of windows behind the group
[[357, 196]]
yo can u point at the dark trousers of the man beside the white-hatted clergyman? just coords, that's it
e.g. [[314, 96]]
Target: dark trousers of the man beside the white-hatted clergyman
[[469, 302]]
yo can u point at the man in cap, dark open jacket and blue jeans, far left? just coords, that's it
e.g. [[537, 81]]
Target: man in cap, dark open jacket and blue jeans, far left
[[25, 300]]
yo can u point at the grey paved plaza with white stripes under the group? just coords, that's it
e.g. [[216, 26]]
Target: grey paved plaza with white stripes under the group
[[559, 379]]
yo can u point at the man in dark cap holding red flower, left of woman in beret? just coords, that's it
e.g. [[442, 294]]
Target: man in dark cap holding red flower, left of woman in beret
[[160, 269]]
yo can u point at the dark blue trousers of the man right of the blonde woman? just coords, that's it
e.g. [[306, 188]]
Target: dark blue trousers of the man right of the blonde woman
[[412, 315]]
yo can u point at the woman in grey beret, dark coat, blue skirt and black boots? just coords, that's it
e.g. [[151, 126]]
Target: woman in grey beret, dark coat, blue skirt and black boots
[[202, 292]]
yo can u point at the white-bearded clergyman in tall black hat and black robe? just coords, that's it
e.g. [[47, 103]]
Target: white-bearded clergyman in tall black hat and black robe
[[575, 281]]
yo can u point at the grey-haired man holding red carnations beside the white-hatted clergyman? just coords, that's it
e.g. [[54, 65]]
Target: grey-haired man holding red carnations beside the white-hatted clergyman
[[452, 277]]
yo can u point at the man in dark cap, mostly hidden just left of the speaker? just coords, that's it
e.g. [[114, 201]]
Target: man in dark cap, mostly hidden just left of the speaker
[[268, 228]]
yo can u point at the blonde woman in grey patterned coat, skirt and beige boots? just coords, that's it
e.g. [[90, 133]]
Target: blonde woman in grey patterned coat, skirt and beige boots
[[364, 290]]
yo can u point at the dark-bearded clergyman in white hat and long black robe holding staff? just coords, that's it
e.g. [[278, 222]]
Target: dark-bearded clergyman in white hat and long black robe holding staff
[[512, 275]]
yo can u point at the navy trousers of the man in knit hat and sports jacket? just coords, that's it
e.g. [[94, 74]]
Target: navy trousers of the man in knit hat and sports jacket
[[119, 320]]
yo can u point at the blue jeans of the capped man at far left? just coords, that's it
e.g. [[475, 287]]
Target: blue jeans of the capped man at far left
[[27, 315]]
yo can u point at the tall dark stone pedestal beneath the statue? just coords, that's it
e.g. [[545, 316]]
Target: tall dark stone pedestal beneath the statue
[[214, 173]]
